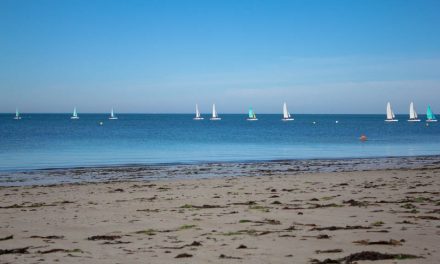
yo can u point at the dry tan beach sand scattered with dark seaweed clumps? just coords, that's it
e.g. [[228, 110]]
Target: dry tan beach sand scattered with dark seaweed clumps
[[255, 219]]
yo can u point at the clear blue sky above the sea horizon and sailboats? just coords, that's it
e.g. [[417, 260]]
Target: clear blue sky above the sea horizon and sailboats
[[165, 56]]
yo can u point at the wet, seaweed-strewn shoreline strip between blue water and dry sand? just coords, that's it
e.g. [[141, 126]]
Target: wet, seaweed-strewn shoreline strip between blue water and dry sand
[[177, 171]]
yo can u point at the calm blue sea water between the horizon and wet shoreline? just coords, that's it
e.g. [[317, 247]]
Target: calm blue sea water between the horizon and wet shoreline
[[54, 141]]
